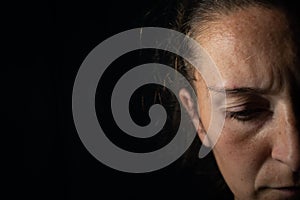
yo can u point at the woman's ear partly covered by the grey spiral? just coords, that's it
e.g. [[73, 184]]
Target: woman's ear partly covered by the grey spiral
[[192, 111]]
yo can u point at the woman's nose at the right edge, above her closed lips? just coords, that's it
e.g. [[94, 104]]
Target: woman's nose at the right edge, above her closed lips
[[286, 143]]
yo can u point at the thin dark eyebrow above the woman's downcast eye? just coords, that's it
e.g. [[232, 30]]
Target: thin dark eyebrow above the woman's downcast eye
[[239, 91]]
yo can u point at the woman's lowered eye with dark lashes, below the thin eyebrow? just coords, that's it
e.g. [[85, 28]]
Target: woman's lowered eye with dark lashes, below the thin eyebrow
[[247, 114]]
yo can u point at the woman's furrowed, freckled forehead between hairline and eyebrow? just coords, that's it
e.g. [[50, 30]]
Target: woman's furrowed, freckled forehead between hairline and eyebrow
[[251, 47]]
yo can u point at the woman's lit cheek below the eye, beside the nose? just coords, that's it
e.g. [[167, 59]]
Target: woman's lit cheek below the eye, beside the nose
[[240, 158]]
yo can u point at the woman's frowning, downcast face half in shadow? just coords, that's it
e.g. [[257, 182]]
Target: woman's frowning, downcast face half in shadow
[[258, 151]]
